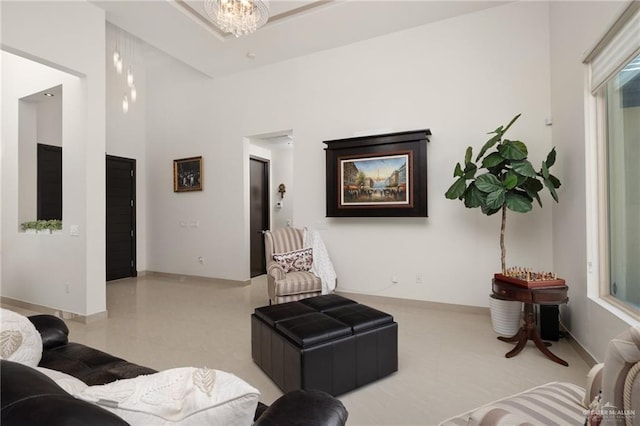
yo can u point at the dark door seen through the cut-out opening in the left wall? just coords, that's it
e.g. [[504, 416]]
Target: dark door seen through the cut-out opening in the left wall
[[49, 182]]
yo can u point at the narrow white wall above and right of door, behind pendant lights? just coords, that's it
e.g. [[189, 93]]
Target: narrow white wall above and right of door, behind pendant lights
[[127, 133]]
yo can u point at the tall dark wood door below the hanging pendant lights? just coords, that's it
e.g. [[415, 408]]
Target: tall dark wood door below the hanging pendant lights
[[121, 218]]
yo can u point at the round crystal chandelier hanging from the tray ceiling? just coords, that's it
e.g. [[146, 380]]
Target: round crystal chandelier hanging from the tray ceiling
[[238, 17]]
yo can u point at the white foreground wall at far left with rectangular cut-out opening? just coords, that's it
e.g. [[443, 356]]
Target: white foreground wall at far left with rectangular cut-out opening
[[68, 36]]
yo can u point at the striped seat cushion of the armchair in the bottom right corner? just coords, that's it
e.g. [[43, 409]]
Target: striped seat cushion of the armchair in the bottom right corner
[[555, 403]]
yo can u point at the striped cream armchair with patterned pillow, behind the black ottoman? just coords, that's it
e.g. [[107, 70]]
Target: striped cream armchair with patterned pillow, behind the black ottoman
[[288, 264]]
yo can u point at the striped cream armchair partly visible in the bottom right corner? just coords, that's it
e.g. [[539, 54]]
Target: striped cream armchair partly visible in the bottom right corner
[[611, 396]]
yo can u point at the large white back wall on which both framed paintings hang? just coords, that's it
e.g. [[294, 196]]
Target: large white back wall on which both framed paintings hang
[[461, 77]]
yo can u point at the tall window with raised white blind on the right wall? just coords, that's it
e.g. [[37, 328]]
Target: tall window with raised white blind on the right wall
[[614, 83]]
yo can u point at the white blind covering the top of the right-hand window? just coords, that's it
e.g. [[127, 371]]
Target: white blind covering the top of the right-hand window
[[617, 47]]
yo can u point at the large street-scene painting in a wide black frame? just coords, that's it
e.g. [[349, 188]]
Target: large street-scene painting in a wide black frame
[[374, 176]]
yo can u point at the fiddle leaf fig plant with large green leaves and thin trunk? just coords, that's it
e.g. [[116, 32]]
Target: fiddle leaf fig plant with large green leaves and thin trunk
[[501, 177]]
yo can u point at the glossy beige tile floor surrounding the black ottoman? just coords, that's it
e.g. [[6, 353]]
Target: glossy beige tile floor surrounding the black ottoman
[[449, 361]]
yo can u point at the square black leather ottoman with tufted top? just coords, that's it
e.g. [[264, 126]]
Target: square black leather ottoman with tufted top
[[329, 343]]
